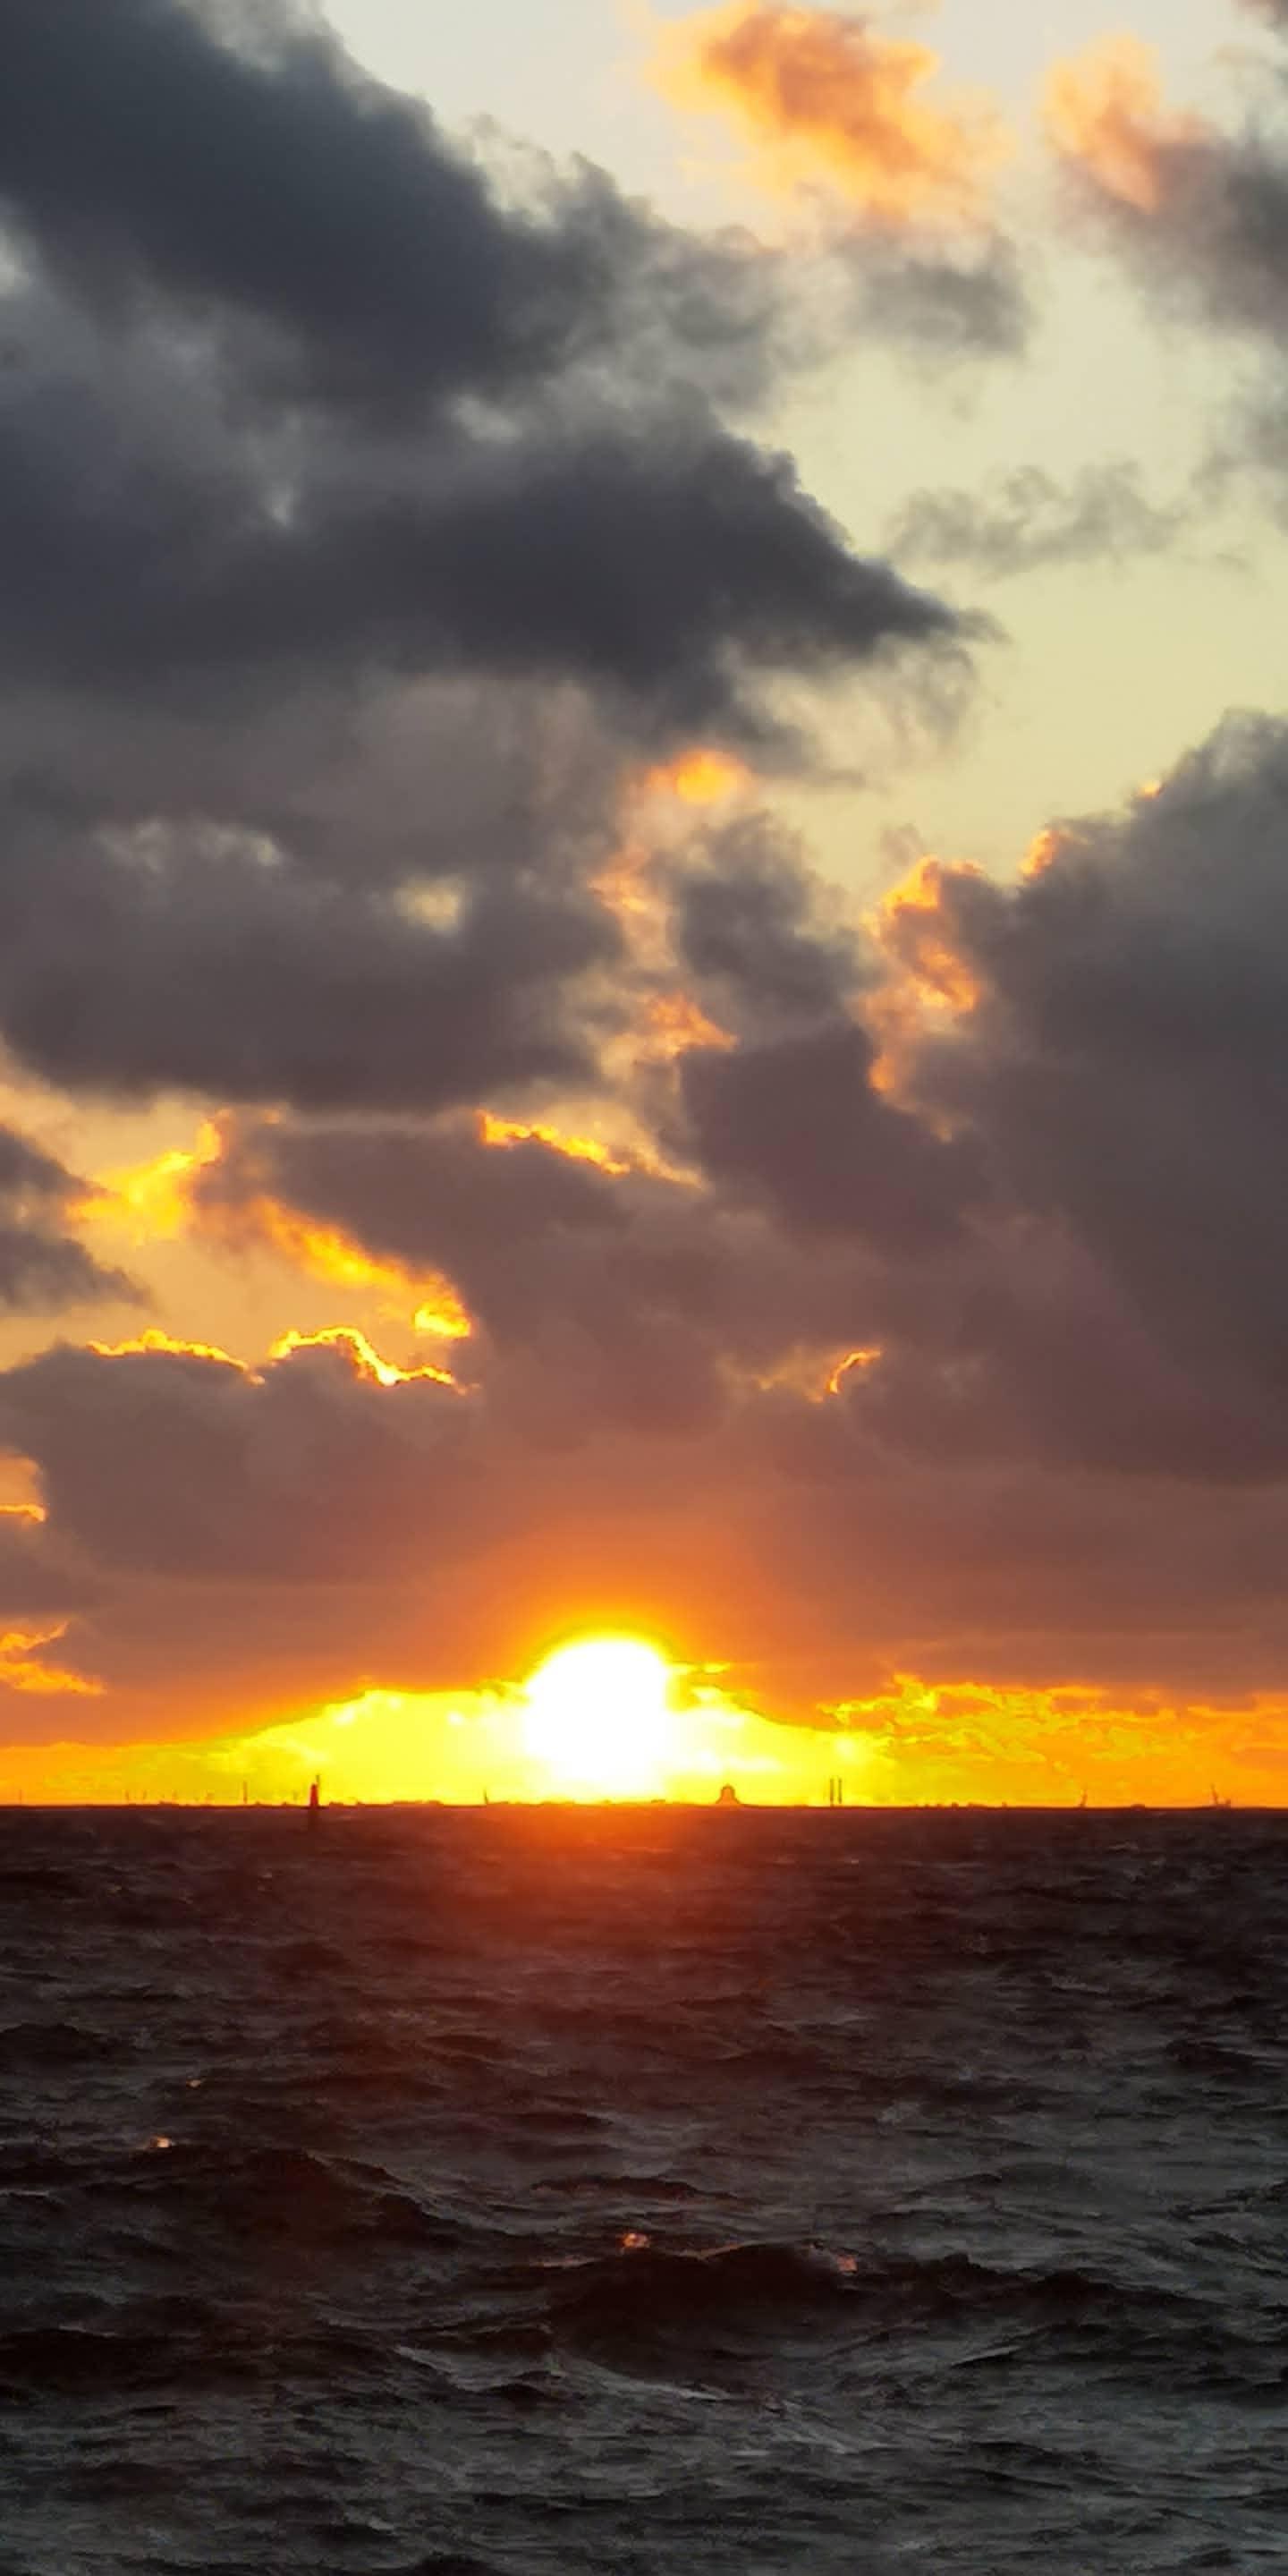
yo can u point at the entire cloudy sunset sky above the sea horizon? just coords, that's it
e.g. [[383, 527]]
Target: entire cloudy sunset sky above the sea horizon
[[643, 900]]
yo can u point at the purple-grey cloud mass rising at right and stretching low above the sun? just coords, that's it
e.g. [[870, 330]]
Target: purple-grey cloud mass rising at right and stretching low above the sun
[[1055, 1235]]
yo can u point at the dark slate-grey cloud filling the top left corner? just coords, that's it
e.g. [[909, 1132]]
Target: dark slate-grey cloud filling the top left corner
[[287, 187]]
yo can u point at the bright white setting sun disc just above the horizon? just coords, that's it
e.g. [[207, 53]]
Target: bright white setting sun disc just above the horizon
[[599, 1717]]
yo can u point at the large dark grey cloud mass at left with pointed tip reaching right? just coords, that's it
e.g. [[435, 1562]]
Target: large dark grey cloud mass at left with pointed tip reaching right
[[215, 833]]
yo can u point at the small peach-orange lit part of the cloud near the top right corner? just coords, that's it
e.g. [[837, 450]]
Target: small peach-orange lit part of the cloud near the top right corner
[[1109, 120]]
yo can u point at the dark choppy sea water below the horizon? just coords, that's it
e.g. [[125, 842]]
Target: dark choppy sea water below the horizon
[[643, 2193]]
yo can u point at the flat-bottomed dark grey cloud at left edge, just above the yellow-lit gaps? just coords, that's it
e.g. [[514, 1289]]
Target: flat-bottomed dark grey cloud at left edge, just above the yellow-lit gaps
[[189, 957]]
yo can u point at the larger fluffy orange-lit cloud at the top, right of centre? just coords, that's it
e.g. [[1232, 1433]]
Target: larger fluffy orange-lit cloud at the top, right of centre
[[831, 99]]
